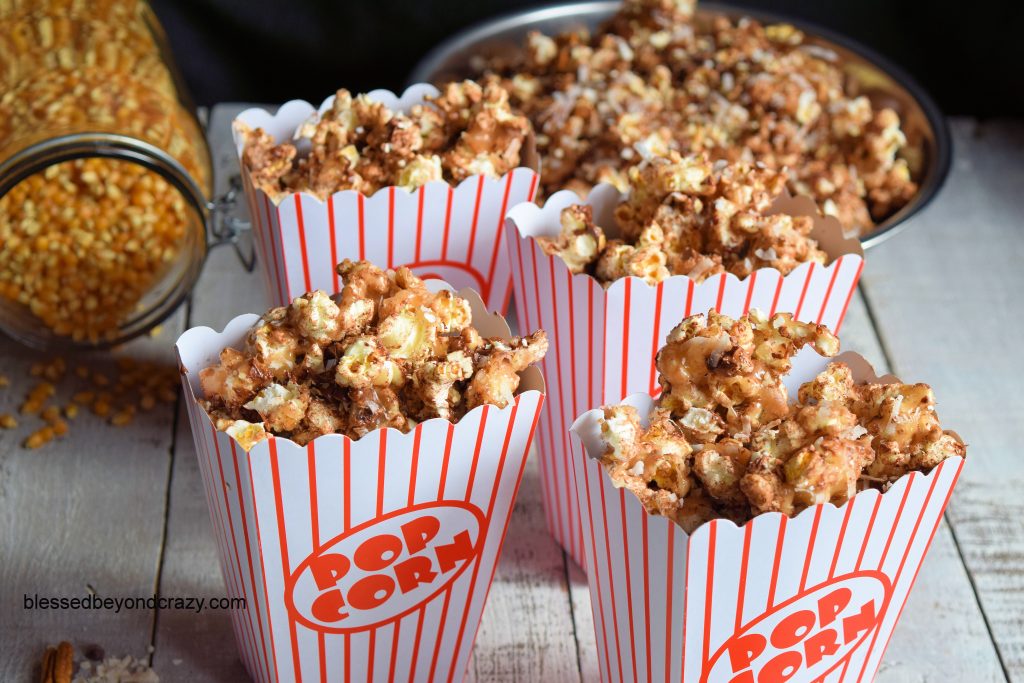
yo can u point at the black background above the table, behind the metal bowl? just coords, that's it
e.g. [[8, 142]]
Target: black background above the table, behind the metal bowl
[[967, 55]]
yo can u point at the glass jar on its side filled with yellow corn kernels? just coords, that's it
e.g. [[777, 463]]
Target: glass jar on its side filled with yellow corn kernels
[[105, 175]]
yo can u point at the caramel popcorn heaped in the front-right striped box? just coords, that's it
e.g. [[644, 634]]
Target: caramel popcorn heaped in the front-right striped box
[[724, 442]]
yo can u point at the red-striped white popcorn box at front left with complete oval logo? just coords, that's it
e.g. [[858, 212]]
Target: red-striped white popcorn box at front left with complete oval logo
[[368, 560]]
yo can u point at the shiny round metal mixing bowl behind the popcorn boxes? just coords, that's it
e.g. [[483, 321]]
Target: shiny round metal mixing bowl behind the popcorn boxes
[[929, 147]]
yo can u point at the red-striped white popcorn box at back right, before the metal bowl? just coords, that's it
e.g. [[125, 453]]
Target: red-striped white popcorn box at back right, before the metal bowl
[[605, 340]]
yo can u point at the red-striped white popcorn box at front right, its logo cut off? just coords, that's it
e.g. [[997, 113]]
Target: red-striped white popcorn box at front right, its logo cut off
[[815, 597]]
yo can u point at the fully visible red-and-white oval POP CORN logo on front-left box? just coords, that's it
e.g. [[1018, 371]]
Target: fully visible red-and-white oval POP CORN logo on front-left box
[[387, 568]]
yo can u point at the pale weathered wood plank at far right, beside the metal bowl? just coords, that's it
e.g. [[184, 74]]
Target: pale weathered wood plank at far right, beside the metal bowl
[[947, 296]]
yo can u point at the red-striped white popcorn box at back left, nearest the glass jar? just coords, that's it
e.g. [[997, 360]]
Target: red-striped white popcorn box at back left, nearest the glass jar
[[439, 231]]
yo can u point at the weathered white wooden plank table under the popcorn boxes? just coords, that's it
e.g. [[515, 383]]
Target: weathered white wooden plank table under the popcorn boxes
[[121, 511]]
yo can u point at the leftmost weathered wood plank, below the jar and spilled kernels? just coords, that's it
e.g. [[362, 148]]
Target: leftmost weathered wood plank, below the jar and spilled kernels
[[84, 511]]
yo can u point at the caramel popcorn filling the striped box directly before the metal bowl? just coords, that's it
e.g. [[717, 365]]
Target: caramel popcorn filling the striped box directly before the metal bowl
[[689, 217]]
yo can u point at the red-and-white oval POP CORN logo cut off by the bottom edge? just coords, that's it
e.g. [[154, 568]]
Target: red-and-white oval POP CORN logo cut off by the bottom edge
[[804, 638]]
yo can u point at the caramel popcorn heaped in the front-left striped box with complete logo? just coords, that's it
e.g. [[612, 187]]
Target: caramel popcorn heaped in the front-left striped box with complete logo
[[383, 353]]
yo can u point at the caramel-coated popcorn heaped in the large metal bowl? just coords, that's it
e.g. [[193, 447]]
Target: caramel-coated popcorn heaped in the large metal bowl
[[654, 80]]
